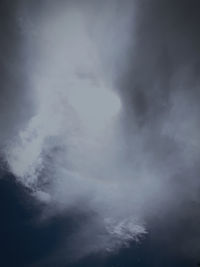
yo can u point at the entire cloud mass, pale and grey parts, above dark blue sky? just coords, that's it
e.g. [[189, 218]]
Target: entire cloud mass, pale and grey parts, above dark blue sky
[[111, 117]]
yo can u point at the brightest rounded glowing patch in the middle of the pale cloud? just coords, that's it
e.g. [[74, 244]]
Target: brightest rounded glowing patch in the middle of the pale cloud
[[95, 106]]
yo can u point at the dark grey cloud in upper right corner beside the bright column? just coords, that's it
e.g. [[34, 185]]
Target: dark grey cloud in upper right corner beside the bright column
[[164, 51]]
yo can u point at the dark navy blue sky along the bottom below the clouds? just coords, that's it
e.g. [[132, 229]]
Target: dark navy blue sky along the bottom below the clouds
[[25, 243]]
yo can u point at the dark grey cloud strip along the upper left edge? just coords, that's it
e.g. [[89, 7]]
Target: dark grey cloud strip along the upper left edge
[[15, 101]]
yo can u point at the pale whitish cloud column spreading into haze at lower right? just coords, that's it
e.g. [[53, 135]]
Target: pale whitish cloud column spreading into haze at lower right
[[75, 151]]
